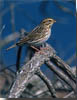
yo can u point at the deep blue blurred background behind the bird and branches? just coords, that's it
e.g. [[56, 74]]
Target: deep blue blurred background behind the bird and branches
[[29, 13]]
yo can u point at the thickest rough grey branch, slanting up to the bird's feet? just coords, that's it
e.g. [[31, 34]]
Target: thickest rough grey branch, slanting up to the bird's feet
[[27, 71]]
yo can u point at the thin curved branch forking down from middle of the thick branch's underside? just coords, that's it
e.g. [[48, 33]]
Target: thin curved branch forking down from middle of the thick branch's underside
[[47, 82]]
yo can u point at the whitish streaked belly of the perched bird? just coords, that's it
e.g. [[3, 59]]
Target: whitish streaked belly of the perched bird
[[40, 41]]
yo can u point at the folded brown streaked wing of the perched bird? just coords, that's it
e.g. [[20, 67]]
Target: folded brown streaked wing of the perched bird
[[34, 35]]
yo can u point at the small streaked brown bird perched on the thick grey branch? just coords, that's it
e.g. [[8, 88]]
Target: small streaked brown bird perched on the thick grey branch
[[39, 35]]
